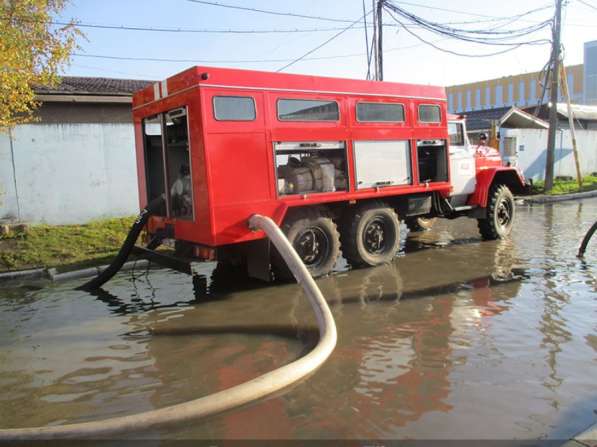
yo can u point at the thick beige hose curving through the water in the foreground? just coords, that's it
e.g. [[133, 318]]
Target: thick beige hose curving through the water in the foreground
[[258, 388]]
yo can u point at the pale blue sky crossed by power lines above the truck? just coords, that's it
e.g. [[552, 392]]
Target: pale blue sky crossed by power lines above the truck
[[405, 58]]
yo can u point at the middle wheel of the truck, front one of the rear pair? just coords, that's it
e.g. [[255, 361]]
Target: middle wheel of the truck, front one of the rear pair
[[370, 235]]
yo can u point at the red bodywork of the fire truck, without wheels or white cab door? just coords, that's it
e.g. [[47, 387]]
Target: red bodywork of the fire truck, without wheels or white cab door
[[240, 132]]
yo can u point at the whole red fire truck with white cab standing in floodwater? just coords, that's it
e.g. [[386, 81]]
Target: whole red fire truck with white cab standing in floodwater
[[337, 163]]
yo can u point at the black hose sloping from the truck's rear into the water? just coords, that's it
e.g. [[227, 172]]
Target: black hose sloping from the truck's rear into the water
[[126, 248]]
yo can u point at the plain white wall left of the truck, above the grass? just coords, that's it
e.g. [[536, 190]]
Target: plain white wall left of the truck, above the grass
[[68, 173]]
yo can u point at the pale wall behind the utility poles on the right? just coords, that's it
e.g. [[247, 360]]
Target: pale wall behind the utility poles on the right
[[532, 152]]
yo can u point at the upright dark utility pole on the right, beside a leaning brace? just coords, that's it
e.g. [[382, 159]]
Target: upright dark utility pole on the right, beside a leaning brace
[[553, 110]]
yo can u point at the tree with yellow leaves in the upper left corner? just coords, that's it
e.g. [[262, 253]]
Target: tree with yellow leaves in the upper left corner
[[32, 52]]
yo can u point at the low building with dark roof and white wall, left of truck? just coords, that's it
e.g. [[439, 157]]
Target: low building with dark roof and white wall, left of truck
[[77, 161]]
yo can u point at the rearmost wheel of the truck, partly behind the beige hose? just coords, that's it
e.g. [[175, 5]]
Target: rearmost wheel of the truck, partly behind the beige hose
[[314, 236]]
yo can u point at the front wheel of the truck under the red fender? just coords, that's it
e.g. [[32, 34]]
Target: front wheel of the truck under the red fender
[[500, 214]]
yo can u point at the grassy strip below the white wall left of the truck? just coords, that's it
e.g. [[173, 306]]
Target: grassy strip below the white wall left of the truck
[[68, 246]]
